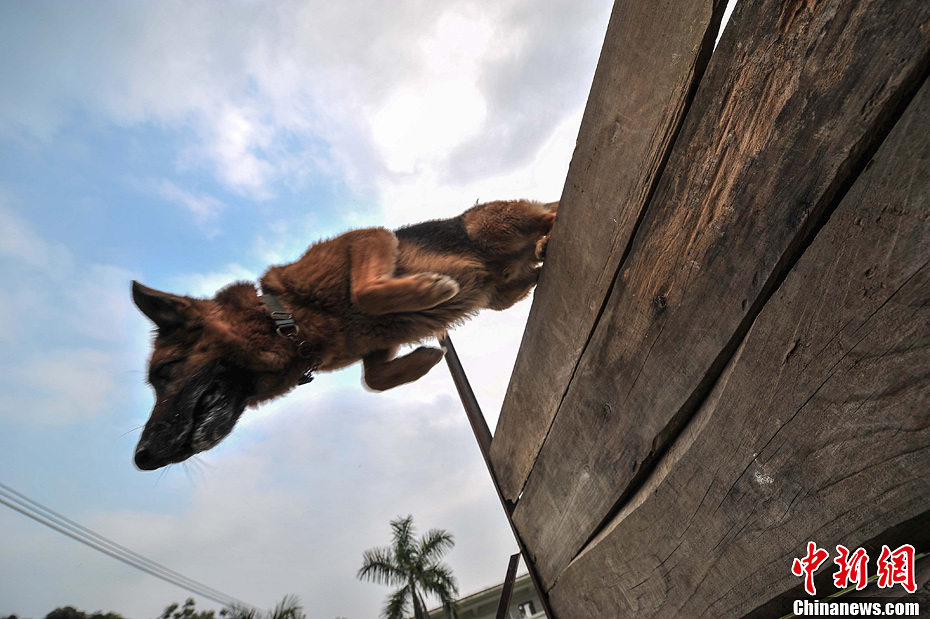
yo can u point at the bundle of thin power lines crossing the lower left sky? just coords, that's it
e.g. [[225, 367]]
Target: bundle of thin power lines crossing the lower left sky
[[52, 519]]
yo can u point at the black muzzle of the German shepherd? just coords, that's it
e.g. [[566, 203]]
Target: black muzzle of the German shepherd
[[195, 420]]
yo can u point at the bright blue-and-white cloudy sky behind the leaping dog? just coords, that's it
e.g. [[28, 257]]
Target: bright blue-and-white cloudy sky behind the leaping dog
[[190, 144]]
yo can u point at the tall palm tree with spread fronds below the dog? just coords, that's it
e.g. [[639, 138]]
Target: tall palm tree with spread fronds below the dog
[[414, 567]]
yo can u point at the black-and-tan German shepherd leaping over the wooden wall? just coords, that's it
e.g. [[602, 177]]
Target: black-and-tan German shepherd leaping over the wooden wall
[[358, 296]]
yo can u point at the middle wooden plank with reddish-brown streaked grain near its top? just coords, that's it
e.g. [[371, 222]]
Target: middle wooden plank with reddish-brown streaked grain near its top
[[796, 98]]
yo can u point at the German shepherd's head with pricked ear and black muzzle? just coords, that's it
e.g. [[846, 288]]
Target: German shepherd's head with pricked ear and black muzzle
[[211, 359]]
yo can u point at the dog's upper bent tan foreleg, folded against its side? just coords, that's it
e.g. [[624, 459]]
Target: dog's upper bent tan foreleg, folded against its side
[[375, 290]]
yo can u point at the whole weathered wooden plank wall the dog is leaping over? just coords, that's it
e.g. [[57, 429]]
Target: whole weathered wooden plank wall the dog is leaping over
[[729, 349]]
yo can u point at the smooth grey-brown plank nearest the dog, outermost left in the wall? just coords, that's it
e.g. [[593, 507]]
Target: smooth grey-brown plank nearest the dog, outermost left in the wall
[[653, 55]]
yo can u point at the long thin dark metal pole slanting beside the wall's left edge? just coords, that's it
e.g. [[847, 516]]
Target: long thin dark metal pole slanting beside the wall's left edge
[[483, 435]]
